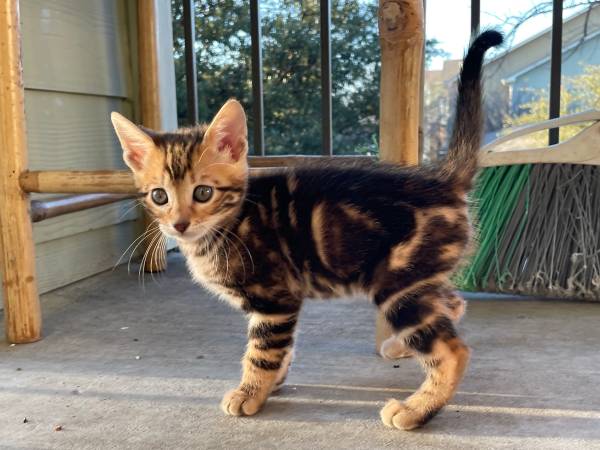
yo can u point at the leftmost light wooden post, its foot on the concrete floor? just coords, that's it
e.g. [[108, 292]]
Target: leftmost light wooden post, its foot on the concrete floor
[[22, 313]]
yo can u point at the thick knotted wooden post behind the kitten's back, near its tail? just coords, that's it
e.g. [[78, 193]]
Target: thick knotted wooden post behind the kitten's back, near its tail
[[402, 38]]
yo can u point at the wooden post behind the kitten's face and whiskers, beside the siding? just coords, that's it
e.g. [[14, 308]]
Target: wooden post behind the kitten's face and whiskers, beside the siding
[[149, 106]]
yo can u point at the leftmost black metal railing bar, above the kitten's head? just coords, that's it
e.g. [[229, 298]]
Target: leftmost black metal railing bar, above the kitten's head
[[191, 76]]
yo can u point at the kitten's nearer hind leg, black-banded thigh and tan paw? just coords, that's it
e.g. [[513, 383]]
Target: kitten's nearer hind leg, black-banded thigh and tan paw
[[423, 321]]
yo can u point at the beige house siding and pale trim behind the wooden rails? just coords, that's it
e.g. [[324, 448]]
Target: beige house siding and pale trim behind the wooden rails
[[79, 64]]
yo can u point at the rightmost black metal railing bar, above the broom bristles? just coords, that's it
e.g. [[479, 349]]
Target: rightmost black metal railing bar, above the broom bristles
[[555, 68]]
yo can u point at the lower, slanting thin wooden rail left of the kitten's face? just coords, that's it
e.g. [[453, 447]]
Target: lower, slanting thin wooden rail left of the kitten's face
[[47, 209]]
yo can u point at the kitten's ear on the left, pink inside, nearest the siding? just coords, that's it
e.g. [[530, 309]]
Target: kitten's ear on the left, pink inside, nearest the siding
[[136, 144]]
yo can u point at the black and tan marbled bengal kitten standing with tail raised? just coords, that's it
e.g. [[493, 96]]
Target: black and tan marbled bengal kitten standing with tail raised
[[265, 243]]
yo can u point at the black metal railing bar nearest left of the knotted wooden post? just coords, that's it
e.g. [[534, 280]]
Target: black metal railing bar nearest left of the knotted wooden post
[[326, 97]]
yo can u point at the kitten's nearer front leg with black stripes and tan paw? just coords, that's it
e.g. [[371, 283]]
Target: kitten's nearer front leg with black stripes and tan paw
[[265, 364]]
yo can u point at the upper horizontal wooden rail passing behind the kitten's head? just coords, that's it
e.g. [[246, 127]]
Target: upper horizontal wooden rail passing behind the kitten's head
[[121, 181]]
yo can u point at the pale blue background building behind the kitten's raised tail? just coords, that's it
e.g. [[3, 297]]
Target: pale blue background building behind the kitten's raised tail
[[517, 81]]
